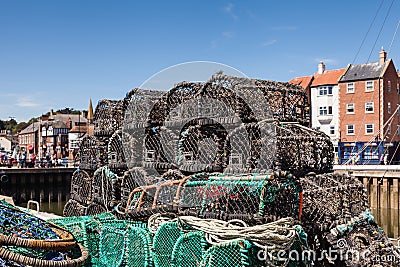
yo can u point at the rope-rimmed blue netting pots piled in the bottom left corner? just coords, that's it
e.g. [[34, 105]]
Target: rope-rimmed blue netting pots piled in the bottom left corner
[[29, 240]]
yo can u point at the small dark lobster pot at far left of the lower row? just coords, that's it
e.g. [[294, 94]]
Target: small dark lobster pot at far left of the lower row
[[81, 187]]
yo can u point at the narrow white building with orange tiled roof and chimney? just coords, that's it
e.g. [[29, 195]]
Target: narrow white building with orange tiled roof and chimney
[[325, 103]]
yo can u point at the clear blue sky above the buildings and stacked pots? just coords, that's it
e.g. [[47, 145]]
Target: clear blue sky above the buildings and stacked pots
[[57, 54]]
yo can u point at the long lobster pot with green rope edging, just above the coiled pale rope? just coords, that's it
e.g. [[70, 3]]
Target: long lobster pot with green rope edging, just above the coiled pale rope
[[251, 198]]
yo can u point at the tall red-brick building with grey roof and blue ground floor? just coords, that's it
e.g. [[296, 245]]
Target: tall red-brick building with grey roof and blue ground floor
[[368, 117]]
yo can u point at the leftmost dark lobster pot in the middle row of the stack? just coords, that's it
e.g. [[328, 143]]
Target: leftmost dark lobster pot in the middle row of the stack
[[92, 153]]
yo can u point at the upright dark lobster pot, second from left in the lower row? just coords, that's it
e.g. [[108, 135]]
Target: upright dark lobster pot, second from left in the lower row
[[103, 187]]
